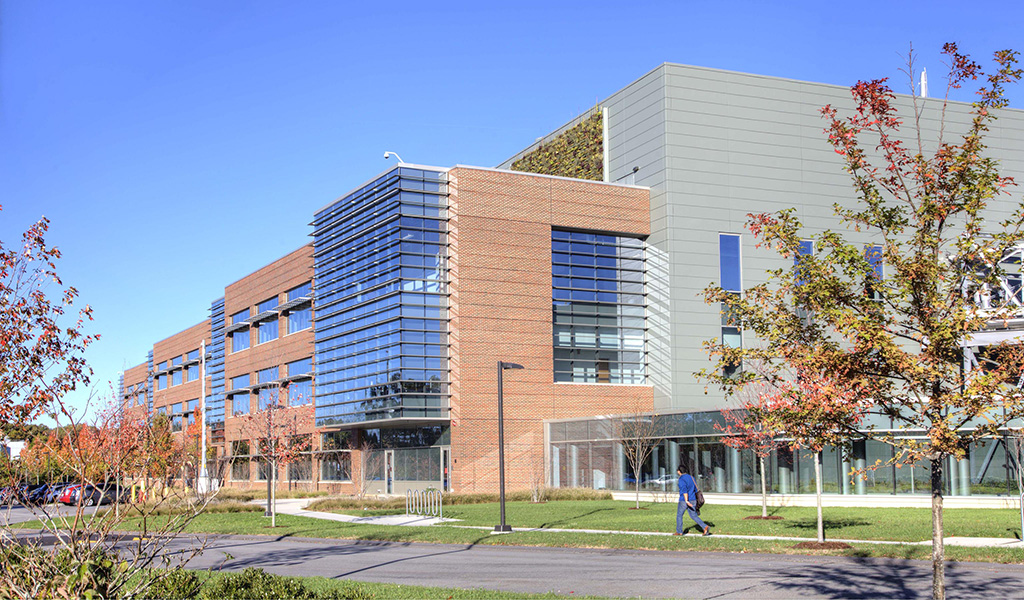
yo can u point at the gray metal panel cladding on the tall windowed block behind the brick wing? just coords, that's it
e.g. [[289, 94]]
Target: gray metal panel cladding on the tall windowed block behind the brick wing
[[715, 147]]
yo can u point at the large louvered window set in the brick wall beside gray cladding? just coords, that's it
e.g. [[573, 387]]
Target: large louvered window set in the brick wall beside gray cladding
[[600, 309]]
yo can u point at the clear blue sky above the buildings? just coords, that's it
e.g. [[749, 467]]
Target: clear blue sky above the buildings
[[178, 147]]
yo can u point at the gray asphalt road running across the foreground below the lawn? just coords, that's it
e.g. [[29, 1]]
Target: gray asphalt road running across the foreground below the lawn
[[608, 573]]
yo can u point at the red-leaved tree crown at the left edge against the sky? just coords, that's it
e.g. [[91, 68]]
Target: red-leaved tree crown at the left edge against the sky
[[41, 355]]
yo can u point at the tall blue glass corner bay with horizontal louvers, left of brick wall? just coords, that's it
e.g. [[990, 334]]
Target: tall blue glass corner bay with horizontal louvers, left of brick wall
[[381, 323]]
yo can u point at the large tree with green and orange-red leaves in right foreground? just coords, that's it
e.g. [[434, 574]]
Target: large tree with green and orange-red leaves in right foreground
[[889, 340]]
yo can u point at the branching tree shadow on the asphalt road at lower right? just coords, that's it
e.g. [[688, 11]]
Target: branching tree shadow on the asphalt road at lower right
[[873, 578]]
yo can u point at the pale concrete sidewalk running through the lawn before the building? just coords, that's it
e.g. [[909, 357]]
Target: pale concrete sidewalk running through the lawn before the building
[[297, 507]]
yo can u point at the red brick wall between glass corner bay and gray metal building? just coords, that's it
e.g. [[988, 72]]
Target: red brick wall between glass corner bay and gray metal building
[[501, 311]]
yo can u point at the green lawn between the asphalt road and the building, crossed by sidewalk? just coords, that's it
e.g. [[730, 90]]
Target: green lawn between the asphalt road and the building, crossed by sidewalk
[[897, 525]]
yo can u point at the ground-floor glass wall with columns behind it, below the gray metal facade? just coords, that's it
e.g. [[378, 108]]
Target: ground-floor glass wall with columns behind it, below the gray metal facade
[[583, 454]]
